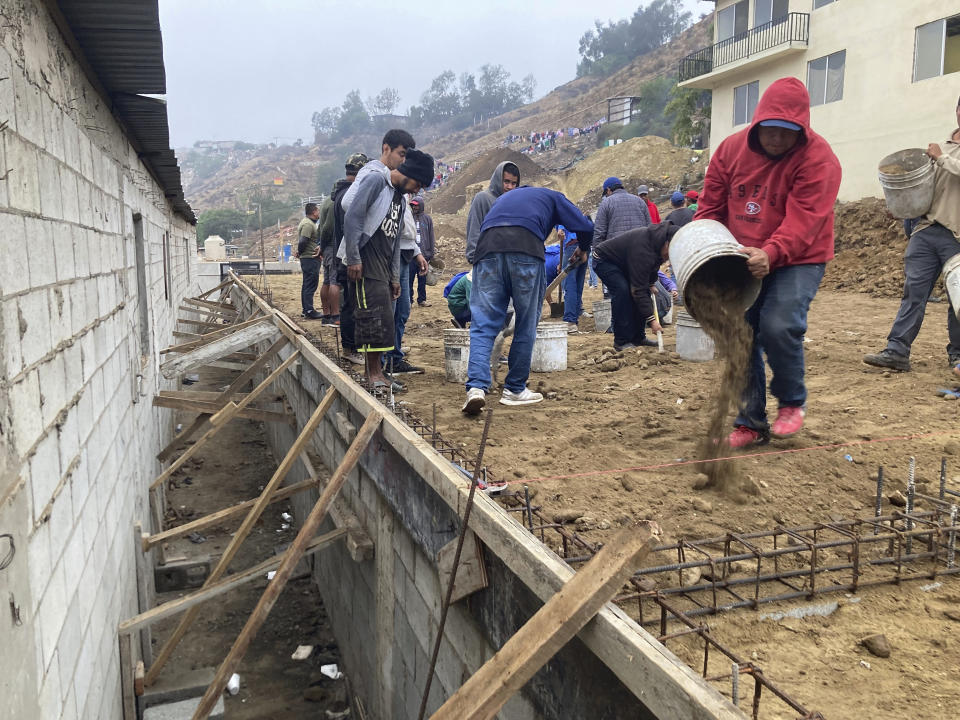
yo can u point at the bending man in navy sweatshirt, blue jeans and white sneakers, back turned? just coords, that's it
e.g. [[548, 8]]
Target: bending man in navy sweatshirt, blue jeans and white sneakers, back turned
[[509, 264]]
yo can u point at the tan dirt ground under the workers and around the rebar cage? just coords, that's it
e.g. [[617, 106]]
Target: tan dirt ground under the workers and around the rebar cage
[[611, 413]]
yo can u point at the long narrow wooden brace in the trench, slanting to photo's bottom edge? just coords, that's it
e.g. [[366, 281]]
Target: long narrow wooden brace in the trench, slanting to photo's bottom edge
[[290, 559]]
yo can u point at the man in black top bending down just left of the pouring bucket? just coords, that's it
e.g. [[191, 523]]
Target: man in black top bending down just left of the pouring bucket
[[628, 265]]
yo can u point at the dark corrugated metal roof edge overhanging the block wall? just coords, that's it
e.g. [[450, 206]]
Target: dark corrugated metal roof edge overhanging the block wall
[[122, 43]]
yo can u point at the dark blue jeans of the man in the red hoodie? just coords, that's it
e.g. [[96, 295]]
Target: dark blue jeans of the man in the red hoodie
[[779, 321]]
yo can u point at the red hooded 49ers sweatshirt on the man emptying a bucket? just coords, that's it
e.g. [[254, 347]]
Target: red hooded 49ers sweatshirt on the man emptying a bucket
[[782, 205]]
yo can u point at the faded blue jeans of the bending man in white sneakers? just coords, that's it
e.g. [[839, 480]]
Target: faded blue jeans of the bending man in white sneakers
[[497, 278]]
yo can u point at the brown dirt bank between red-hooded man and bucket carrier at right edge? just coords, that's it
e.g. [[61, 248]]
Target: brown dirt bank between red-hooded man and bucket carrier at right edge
[[869, 245]]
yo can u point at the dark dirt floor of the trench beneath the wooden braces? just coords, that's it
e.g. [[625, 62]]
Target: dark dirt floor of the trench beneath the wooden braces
[[232, 469]]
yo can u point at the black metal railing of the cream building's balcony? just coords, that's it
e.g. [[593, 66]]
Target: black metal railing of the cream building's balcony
[[790, 28]]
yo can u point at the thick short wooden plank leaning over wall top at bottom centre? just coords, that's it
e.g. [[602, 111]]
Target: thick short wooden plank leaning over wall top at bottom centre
[[551, 627]]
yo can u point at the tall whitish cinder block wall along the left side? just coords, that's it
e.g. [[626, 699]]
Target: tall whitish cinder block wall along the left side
[[78, 368]]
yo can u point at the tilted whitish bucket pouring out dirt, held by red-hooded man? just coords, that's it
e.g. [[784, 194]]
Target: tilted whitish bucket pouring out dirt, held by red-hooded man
[[704, 251]]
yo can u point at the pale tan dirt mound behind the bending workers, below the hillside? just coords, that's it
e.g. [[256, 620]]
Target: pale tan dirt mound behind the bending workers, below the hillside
[[652, 161]]
